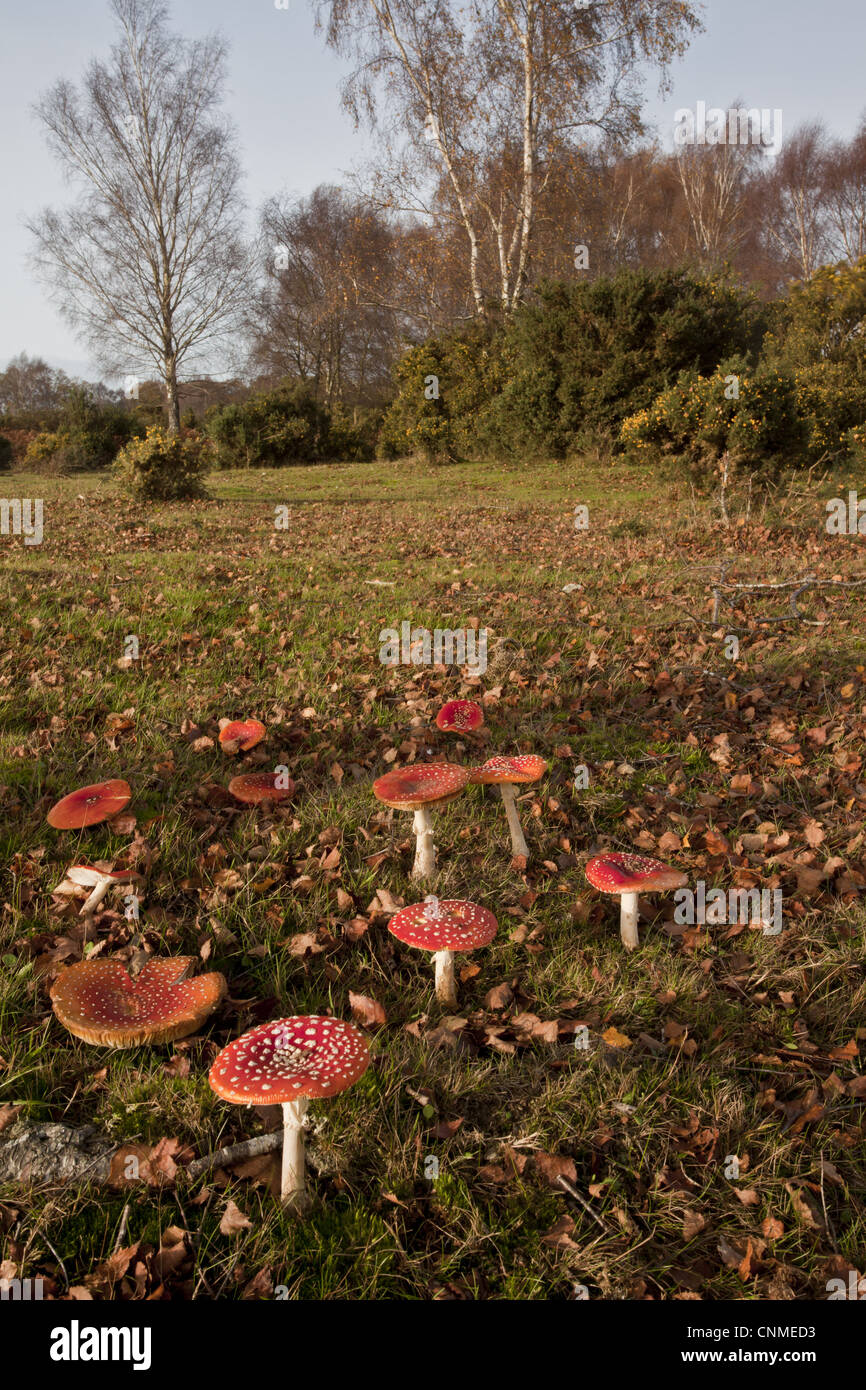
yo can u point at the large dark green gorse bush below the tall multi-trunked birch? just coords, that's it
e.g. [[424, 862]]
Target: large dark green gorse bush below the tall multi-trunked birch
[[569, 368]]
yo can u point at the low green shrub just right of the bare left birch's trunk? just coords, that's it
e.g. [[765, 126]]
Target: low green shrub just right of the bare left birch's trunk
[[270, 430]]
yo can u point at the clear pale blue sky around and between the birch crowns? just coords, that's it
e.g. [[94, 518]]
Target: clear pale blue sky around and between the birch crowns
[[284, 97]]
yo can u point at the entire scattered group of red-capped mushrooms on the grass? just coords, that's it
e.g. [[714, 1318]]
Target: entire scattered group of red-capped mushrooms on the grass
[[293, 1061]]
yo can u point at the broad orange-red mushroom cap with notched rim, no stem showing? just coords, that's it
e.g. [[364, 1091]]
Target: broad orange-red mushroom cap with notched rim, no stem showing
[[101, 1003]]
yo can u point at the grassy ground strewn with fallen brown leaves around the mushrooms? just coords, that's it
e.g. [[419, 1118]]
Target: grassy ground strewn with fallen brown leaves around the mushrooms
[[739, 1045]]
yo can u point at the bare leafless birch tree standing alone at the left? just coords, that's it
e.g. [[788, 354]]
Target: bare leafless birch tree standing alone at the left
[[149, 262]]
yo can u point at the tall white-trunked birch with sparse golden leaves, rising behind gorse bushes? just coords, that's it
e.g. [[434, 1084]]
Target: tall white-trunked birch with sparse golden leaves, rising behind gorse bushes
[[475, 102]]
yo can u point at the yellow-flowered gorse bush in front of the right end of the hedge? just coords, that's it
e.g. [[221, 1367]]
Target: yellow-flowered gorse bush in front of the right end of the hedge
[[753, 416]]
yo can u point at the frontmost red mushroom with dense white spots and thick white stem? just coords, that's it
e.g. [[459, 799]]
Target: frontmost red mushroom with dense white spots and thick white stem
[[290, 1063]]
